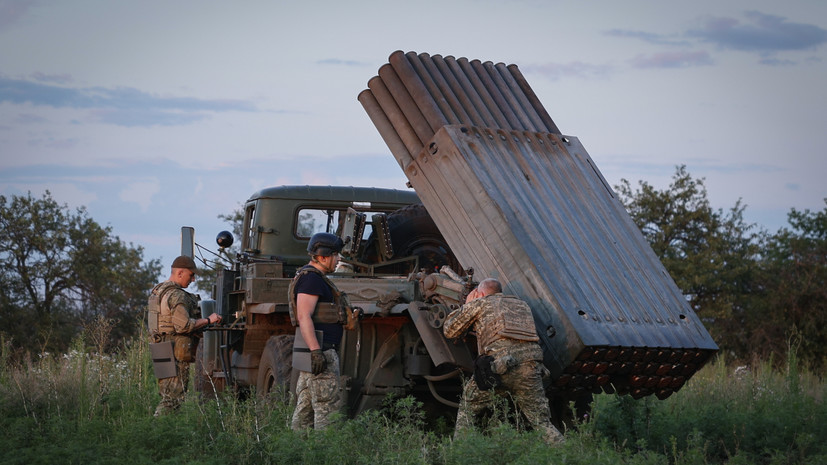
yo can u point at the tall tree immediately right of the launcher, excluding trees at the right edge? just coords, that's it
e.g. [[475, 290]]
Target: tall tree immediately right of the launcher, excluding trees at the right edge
[[709, 253]]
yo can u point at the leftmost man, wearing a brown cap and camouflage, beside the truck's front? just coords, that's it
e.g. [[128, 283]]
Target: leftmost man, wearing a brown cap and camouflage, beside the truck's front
[[173, 318]]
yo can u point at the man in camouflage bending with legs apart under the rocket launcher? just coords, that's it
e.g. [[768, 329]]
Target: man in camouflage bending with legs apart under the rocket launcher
[[509, 357]]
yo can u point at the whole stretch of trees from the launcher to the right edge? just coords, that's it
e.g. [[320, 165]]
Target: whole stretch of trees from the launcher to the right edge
[[758, 293]]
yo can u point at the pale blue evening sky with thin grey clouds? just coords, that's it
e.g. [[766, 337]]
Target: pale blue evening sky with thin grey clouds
[[159, 114]]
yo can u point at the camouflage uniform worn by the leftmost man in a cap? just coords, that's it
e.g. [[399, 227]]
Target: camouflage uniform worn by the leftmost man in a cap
[[175, 324]]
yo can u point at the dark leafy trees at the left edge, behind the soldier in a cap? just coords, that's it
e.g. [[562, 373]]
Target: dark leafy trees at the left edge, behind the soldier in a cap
[[59, 270]]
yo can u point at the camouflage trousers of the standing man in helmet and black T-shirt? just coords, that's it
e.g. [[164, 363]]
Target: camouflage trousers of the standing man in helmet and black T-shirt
[[318, 397]]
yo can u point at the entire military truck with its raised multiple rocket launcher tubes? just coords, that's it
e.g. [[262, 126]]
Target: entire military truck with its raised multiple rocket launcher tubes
[[498, 191]]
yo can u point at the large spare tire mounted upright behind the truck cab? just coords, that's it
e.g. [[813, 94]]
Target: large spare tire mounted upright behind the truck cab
[[413, 232]]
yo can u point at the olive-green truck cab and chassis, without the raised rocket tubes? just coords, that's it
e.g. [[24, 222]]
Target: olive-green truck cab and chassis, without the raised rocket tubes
[[395, 266]]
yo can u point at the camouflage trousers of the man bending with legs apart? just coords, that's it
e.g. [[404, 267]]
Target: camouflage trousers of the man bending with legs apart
[[524, 384]]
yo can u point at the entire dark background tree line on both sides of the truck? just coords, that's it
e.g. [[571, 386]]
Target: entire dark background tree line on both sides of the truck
[[758, 293]]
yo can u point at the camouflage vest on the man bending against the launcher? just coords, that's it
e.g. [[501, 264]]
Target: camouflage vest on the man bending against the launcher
[[506, 317]]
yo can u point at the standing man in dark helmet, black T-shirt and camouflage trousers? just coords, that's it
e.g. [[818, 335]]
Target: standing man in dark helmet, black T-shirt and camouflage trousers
[[317, 308]]
